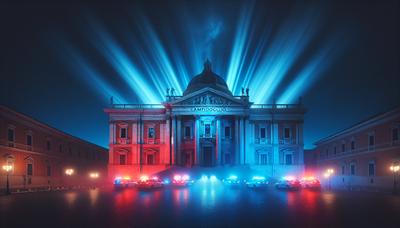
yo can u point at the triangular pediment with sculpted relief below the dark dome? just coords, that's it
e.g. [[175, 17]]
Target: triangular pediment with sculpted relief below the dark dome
[[208, 96]]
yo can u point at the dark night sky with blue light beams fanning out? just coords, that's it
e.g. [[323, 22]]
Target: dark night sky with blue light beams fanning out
[[60, 63]]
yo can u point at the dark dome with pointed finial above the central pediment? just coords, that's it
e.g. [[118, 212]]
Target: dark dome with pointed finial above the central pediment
[[207, 78]]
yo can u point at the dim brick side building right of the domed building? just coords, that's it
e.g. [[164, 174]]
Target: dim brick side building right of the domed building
[[362, 154]]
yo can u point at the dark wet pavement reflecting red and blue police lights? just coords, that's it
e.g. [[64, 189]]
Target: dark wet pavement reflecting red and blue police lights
[[200, 205]]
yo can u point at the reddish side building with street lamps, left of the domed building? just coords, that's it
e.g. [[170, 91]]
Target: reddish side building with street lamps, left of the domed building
[[39, 154]]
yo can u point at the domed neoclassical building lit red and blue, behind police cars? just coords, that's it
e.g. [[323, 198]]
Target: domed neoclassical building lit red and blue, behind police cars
[[206, 126]]
